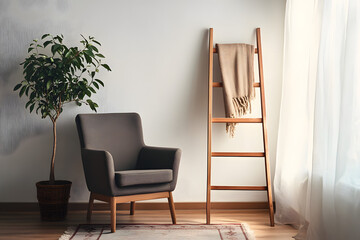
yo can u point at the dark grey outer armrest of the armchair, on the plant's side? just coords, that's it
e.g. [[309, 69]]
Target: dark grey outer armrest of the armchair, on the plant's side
[[99, 170]]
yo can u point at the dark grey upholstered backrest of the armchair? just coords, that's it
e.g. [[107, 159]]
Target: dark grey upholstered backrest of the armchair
[[118, 133]]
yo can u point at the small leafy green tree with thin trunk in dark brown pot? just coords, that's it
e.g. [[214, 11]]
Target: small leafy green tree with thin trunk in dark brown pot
[[54, 75]]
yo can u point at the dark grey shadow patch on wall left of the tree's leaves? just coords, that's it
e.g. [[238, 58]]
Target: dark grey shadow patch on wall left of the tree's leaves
[[15, 121]]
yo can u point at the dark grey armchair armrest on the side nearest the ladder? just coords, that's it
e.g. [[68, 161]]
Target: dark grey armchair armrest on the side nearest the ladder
[[160, 158]]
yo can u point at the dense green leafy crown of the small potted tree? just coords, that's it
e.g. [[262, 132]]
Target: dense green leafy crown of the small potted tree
[[56, 74]]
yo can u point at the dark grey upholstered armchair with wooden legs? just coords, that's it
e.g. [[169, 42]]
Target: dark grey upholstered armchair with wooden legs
[[119, 167]]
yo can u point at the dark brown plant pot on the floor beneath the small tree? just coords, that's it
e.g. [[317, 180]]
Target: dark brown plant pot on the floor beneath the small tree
[[53, 199]]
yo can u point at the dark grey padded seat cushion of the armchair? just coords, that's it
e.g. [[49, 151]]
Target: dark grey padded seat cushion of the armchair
[[142, 177]]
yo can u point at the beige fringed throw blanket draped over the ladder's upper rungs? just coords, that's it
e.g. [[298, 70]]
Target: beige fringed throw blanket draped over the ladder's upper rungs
[[237, 69]]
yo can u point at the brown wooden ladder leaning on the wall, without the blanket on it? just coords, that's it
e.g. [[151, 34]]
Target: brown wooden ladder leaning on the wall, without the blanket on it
[[262, 120]]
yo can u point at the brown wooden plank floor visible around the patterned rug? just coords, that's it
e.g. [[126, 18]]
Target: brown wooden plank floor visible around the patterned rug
[[27, 225]]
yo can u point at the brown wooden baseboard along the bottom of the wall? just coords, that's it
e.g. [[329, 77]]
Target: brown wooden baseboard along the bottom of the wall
[[28, 207]]
